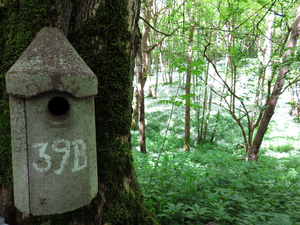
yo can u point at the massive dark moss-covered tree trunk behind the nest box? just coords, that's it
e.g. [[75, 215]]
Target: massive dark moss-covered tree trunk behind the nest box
[[93, 27]]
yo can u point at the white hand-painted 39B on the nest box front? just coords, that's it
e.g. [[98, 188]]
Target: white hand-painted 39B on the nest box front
[[79, 152]]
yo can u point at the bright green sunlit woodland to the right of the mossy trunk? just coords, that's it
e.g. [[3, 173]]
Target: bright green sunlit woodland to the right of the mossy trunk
[[217, 86]]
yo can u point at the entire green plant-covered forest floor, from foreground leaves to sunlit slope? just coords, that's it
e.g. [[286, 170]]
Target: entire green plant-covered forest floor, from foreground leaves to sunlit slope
[[210, 184]]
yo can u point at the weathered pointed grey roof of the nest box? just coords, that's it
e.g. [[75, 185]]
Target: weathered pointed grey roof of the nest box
[[50, 63]]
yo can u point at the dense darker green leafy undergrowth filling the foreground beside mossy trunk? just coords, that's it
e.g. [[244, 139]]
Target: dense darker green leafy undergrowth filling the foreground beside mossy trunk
[[209, 185]]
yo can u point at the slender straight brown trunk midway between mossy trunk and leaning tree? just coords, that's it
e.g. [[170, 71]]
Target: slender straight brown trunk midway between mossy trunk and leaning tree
[[188, 90]]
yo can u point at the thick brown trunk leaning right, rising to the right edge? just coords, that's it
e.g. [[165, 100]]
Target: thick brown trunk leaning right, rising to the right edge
[[254, 150]]
